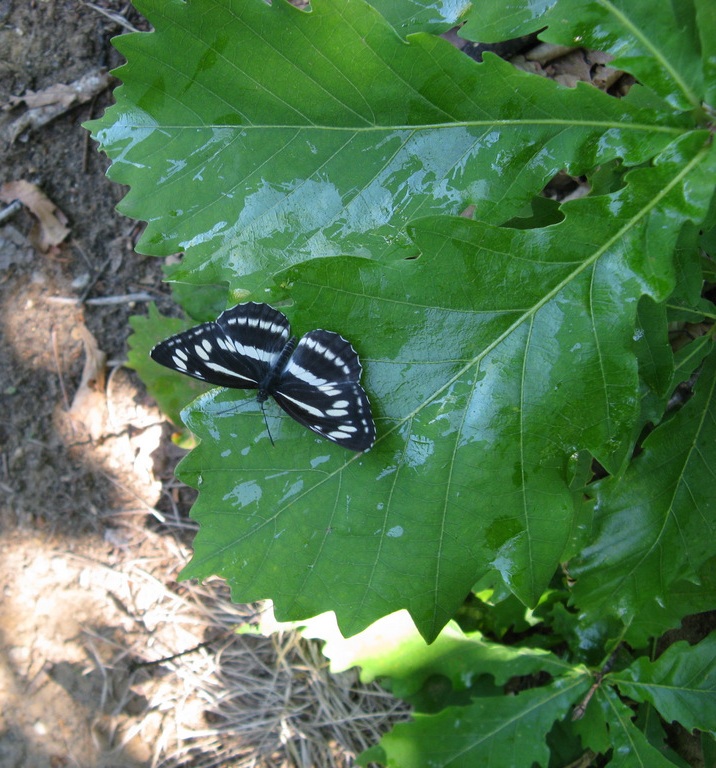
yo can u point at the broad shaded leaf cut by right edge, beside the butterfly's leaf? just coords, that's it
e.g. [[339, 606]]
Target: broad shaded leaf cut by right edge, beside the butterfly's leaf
[[655, 524]]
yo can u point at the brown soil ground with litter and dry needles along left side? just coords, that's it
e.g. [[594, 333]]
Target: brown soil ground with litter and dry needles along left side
[[104, 659]]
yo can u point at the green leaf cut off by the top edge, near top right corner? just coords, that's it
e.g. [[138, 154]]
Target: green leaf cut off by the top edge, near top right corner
[[658, 42]]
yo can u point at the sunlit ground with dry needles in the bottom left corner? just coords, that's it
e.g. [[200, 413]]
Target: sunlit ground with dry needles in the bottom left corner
[[107, 662]]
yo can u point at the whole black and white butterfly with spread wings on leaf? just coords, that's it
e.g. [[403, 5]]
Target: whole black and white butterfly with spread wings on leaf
[[315, 380]]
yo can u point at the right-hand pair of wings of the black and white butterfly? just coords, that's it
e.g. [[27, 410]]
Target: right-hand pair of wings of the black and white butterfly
[[320, 388]]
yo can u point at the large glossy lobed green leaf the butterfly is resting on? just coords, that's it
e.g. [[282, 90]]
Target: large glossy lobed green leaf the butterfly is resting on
[[490, 360]]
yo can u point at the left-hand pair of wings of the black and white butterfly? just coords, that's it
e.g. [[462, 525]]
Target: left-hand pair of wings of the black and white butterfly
[[237, 350]]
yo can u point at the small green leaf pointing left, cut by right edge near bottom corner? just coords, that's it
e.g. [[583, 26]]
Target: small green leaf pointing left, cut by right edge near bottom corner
[[681, 683]]
